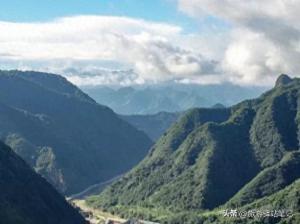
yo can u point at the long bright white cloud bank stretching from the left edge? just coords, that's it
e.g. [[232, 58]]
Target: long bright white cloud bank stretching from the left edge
[[154, 50]]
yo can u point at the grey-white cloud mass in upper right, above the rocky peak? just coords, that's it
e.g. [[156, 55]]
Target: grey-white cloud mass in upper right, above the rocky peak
[[265, 37]]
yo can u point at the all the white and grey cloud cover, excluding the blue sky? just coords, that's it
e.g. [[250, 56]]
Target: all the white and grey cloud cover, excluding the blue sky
[[263, 41]]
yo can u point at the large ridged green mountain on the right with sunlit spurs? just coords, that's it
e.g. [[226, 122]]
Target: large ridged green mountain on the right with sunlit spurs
[[228, 157]]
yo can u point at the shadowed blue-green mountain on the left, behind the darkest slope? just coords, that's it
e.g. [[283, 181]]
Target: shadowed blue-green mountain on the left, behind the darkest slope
[[64, 134]]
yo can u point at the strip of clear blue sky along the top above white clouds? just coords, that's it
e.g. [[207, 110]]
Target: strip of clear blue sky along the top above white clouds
[[151, 10]]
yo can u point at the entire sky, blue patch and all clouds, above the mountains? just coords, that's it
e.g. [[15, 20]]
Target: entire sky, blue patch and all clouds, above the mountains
[[126, 42]]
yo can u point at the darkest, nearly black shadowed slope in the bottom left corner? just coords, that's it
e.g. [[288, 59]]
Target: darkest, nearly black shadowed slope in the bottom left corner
[[26, 198]]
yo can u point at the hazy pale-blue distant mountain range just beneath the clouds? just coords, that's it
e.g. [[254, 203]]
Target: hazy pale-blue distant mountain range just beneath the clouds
[[152, 99]]
